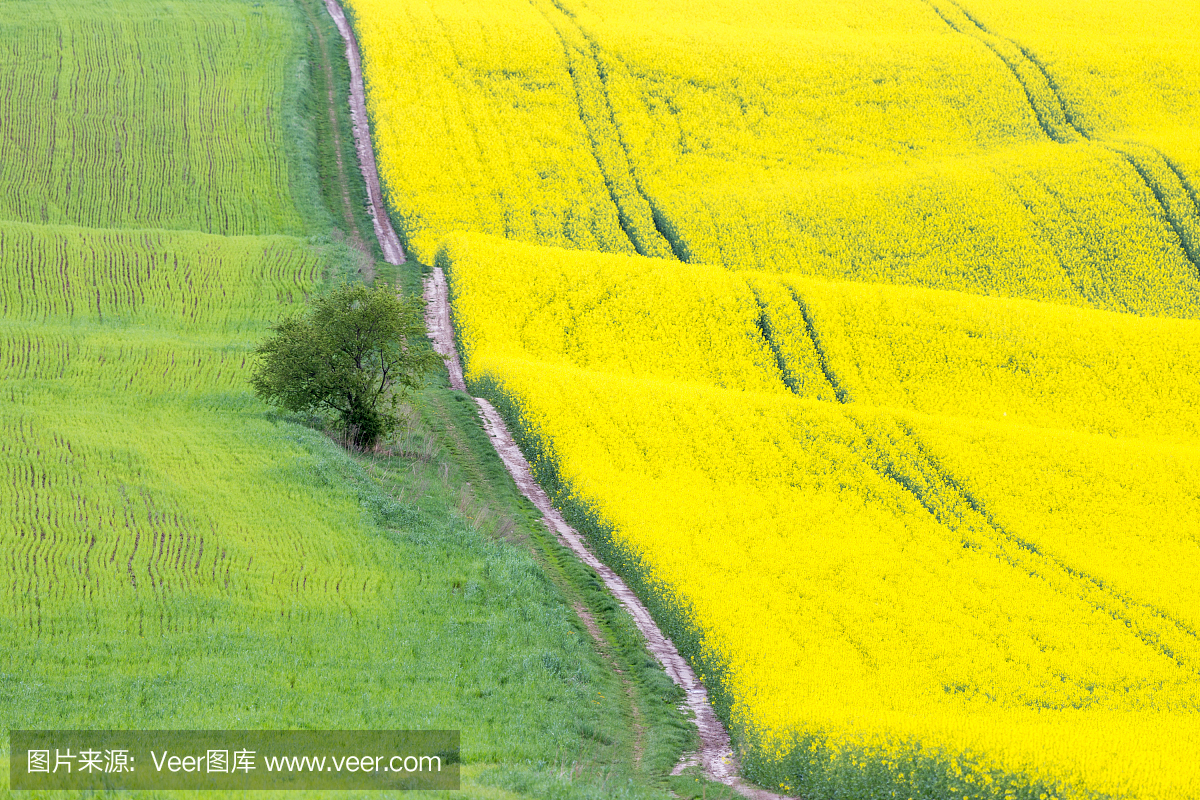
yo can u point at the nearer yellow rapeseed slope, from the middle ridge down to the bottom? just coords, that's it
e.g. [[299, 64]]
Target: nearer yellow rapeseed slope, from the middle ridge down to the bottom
[[921, 540]]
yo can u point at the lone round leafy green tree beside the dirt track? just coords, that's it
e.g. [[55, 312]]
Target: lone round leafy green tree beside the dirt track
[[357, 352]]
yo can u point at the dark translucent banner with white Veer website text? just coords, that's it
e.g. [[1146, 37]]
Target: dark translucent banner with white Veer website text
[[233, 760]]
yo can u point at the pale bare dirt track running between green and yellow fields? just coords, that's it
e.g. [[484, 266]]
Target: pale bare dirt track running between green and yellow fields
[[716, 756]]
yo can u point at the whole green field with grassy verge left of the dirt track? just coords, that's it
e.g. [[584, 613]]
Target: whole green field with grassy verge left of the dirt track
[[175, 555]]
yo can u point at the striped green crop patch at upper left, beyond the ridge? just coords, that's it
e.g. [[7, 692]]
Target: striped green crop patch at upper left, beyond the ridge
[[135, 121]]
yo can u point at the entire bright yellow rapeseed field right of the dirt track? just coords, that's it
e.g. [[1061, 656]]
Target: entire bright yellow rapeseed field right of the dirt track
[[898, 428]]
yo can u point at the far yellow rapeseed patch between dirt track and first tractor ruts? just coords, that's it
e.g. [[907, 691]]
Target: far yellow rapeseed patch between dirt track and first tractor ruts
[[508, 154]]
